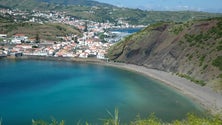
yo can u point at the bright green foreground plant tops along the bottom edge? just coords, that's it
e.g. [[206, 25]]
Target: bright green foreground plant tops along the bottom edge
[[151, 120]]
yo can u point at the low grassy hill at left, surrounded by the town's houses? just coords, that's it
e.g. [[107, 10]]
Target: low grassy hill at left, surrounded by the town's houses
[[45, 31]]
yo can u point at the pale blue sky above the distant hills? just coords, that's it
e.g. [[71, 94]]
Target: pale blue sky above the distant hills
[[197, 5]]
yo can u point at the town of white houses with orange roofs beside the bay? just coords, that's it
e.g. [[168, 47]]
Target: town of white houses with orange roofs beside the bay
[[89, 44]]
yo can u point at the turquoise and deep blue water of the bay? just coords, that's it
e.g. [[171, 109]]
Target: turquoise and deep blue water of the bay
[[82, 92]]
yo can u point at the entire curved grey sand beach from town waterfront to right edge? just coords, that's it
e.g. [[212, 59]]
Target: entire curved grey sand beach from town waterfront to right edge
[[205, 96]]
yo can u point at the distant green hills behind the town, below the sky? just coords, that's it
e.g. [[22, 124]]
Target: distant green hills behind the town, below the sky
[[91, 10]]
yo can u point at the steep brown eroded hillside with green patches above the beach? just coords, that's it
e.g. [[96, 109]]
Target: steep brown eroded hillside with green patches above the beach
[[187, 49]]
